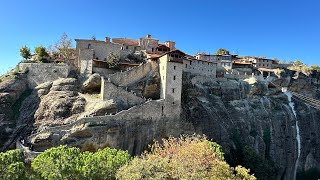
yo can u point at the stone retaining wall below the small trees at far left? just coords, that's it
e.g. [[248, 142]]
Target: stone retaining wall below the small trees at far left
[[38, 73]]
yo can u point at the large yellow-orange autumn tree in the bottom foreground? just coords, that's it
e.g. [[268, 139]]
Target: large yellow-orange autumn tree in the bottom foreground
[[187, 157]]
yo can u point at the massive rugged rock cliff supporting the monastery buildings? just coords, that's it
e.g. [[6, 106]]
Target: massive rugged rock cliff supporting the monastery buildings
[[251, 119]]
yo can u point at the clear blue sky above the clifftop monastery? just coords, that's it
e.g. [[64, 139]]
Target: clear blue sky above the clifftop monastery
[[284, 29]]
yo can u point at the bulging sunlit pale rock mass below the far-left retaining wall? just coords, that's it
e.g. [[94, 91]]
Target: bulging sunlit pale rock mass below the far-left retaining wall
[[58, 103]]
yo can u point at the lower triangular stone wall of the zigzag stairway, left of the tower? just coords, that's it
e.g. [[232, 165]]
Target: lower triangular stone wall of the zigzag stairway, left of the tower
[[123, 98]]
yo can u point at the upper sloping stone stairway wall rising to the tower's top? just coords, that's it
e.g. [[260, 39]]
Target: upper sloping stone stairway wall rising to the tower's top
[[133, 75]]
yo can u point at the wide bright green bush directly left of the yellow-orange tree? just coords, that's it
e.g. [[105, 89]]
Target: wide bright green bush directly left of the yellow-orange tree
[[70, 163]]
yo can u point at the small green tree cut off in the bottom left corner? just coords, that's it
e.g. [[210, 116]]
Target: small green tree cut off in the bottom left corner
[[12, 166]]
